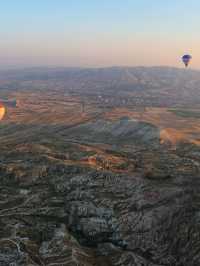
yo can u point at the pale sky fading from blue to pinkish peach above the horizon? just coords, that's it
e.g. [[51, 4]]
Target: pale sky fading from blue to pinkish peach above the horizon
[[99, 32]]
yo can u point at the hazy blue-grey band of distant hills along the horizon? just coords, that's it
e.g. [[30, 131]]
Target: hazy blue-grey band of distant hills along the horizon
[[161, 86]]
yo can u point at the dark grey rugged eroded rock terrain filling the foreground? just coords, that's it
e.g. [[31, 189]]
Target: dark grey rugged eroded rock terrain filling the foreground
[[72, 215]]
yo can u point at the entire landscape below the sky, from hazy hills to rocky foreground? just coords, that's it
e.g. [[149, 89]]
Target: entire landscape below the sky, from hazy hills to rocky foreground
[[100, 167]]
